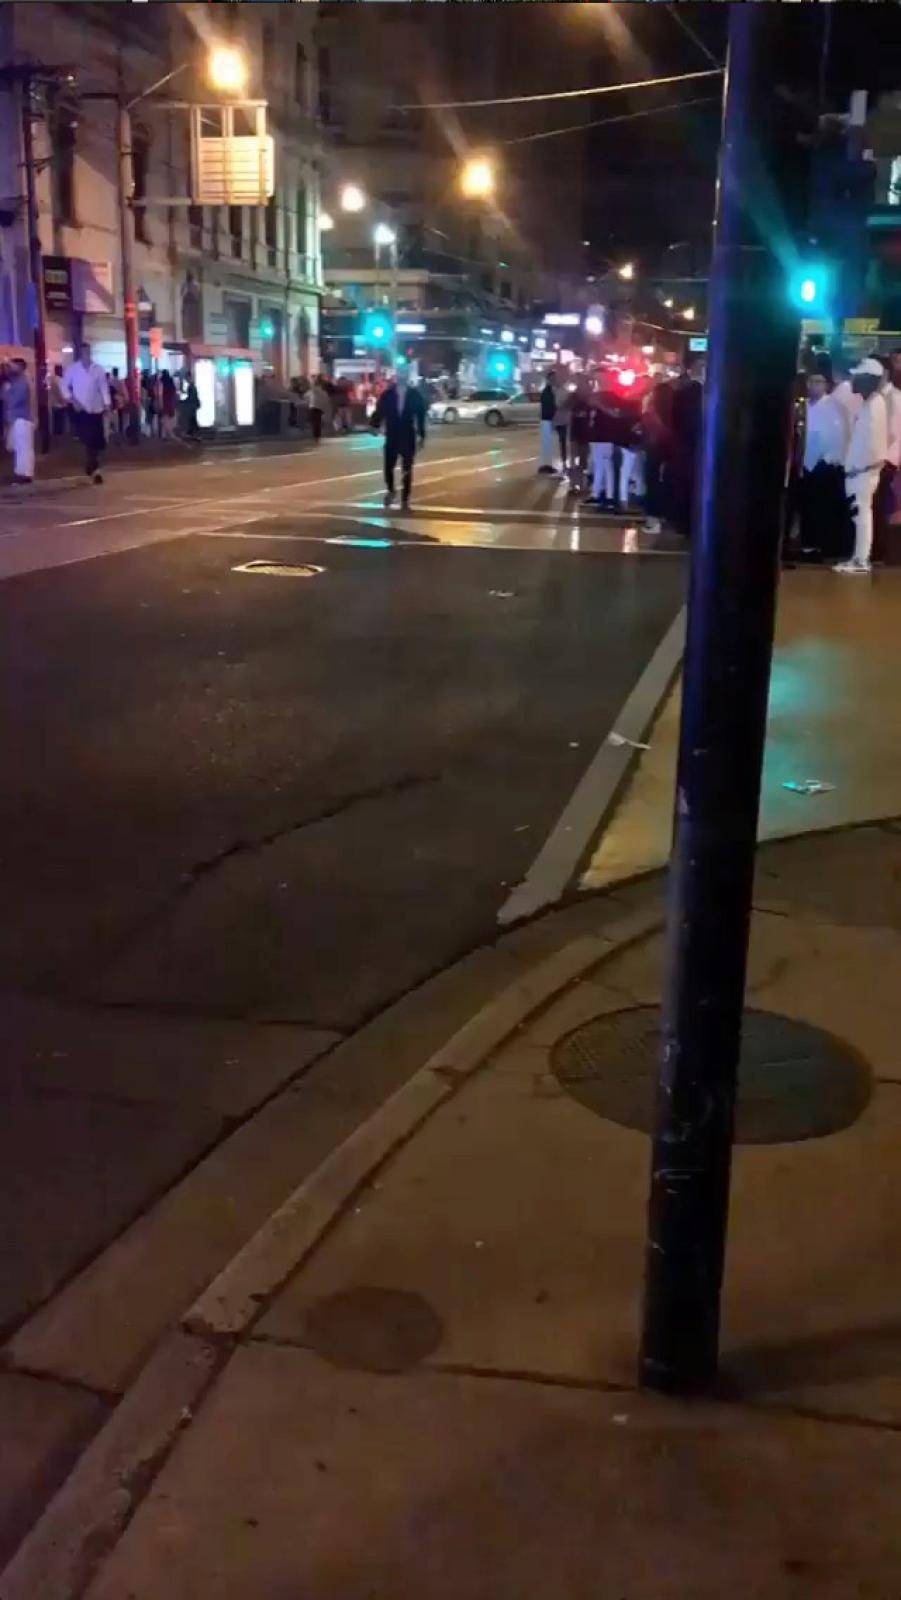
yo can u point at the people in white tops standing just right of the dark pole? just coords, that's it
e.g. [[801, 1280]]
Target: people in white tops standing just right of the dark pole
[[847, 468]]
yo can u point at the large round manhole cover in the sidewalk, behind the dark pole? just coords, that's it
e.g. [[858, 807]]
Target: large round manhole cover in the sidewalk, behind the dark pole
[[796, 1082]]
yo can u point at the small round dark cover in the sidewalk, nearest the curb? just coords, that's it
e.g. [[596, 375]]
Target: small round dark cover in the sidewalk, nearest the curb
[[372, 1329]]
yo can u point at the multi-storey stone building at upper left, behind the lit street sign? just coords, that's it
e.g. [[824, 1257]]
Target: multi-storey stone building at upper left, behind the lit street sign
[[206, 278]]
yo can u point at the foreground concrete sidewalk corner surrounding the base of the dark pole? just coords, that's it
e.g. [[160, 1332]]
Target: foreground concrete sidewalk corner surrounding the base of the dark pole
[[418, 1382]]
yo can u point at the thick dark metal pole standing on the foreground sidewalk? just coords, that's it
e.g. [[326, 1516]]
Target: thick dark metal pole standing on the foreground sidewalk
[[753, 343]]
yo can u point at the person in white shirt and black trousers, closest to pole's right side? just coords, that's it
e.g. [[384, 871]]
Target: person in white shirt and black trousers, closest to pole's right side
[[825, 518]]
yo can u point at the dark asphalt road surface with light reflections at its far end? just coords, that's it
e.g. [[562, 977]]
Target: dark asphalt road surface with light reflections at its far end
[[249, 798]]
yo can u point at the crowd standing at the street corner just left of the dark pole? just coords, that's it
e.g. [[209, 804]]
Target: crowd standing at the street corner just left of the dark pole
[[627, 442]]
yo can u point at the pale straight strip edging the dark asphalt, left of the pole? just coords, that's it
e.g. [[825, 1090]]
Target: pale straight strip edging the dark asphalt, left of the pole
[[587, 809]]
